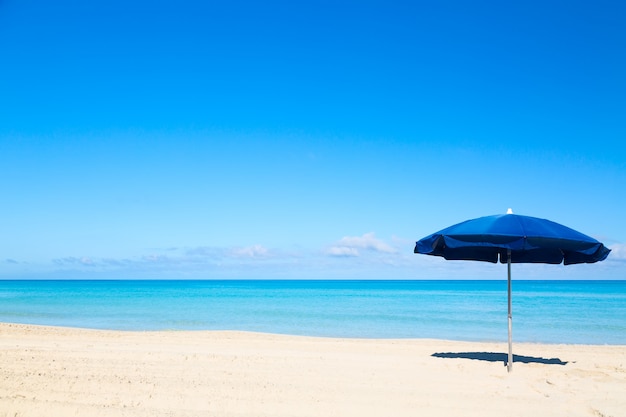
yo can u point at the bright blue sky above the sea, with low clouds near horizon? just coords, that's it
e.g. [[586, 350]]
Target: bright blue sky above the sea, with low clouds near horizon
[[303, 139]]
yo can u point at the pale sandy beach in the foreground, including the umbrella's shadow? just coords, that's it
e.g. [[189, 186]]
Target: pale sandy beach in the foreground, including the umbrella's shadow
[[64, 372]]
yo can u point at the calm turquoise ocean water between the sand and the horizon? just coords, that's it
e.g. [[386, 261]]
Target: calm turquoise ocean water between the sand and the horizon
[[587, 312]]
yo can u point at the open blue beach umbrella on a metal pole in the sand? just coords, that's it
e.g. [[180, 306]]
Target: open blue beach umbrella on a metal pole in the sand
[[512, 238]]
